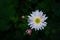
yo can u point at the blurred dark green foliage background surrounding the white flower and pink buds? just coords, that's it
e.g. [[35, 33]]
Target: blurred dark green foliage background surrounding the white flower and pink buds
[[13, 27]]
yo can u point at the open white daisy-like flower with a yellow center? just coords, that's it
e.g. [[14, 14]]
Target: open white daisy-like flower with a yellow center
[[37, 20]]
